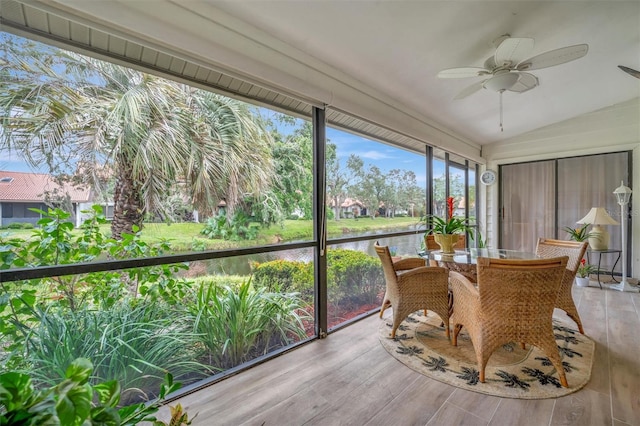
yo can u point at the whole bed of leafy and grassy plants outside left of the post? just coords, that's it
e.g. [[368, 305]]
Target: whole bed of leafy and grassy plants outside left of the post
[[134, 324]]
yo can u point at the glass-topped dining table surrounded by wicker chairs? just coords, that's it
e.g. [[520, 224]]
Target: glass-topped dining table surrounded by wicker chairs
[[464, 261]]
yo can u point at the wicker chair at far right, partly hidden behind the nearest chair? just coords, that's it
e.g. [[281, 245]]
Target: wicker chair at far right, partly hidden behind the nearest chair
[[575, 250]]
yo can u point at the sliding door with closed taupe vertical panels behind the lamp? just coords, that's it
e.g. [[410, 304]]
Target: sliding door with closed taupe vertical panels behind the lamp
[[540, 199]]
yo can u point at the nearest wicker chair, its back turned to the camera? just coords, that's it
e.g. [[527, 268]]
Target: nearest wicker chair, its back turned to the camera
[[513, 302]]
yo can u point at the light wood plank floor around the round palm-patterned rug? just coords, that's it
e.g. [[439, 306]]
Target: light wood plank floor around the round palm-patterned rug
[[349, 379]]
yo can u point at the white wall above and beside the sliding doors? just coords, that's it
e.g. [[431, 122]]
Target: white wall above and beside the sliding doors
[[612, 129]]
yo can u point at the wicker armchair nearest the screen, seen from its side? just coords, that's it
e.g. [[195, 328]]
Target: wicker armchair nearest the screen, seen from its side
[[419, 287]]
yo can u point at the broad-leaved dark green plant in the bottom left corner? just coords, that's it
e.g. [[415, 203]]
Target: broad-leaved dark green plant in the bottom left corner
[[74, 401]]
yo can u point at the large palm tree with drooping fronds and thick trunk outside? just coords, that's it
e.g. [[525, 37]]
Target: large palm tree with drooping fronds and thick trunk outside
[[66, 109]]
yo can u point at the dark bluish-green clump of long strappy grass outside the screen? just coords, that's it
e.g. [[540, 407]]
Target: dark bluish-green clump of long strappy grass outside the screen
[[134, 344]]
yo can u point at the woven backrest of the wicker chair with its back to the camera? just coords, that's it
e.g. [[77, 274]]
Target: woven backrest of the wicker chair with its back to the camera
[[518, 291]]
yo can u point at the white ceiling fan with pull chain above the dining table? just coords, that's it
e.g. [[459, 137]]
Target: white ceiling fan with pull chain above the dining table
[[507, 68]]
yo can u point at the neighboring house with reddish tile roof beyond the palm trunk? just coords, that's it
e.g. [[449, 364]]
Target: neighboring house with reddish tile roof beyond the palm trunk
[[20, 191]]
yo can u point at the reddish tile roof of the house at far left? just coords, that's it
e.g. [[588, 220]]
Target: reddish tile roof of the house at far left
[[30, 187]]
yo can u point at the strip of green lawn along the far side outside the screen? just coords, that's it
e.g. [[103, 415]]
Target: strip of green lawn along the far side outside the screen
[[187, 237]]
